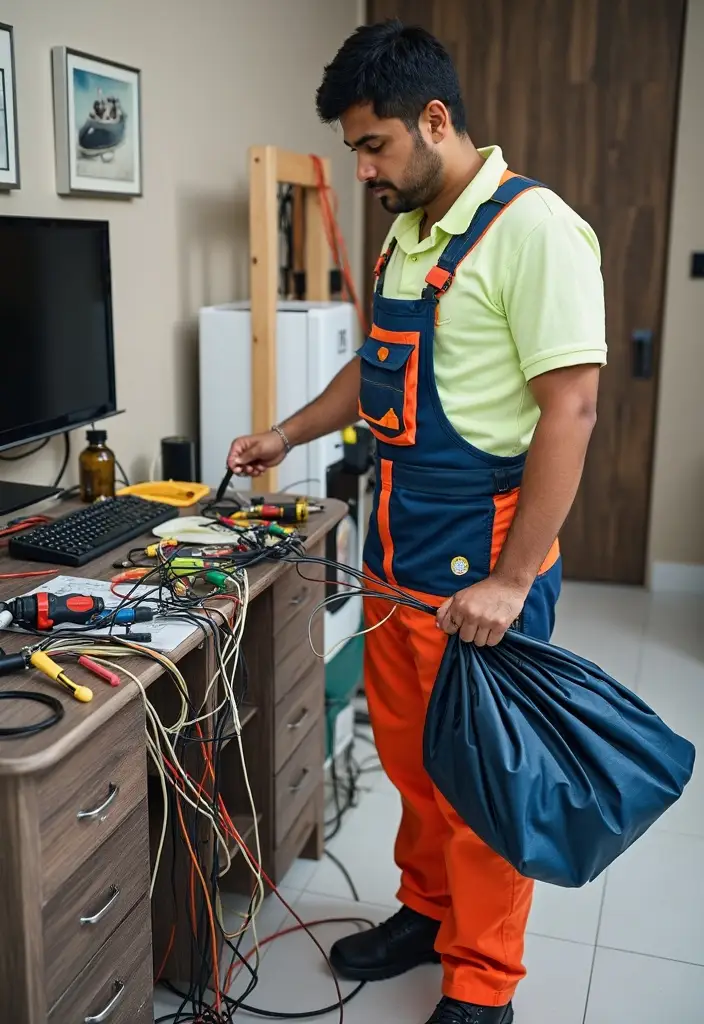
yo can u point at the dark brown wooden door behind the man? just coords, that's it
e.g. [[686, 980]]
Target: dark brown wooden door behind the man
[[583, 95]]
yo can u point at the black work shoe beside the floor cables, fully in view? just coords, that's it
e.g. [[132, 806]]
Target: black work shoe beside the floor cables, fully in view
[[403, 943]]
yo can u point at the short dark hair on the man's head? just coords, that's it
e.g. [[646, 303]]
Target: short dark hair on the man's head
[[397, 69]]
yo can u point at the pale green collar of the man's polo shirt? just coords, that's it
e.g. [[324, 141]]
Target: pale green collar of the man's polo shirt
[[460, 216]]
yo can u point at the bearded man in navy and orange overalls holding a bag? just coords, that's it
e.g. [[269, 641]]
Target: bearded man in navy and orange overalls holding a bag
[[479, 381]]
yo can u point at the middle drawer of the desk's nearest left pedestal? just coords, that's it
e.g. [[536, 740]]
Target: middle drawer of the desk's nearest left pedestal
[[105, 890]]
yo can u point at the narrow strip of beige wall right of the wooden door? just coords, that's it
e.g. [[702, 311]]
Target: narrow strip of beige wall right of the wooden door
[[677, 529]]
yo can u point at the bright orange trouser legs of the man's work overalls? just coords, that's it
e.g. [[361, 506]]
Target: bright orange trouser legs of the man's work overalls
[[448, 873]]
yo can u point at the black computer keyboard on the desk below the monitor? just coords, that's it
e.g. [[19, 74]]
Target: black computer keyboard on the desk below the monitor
[[90, 533]]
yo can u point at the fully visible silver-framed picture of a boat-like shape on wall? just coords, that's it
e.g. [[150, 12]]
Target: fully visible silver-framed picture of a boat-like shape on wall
[[98, 125]]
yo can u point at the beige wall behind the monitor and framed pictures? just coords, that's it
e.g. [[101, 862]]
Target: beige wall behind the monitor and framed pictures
[[217, 77]]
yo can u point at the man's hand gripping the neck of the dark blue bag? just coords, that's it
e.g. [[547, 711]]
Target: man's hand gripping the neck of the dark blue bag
[[482, 614]]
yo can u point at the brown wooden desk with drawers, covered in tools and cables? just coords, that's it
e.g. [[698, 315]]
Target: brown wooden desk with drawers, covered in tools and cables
[[75, 806]]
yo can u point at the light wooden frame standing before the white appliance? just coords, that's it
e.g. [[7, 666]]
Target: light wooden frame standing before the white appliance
[[271, 167]]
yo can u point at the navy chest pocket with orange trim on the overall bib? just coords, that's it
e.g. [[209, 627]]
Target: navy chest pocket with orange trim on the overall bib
[[388, 392]]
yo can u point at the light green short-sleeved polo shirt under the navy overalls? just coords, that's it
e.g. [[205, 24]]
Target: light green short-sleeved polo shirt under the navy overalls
[[529, 300]]
